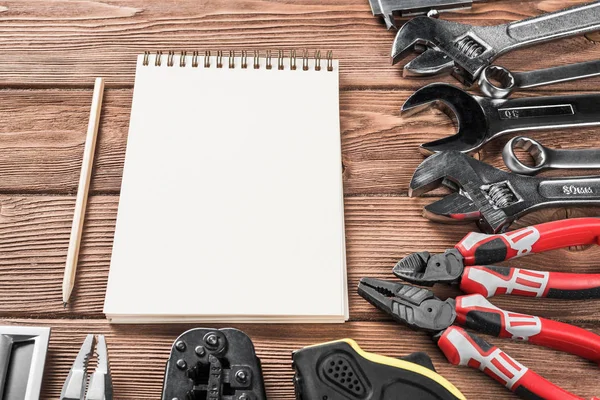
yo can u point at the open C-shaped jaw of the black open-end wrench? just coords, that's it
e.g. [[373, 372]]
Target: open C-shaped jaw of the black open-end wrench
[[463, 109]]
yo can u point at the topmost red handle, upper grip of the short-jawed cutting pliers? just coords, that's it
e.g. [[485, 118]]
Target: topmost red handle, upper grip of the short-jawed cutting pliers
[[481, 249]]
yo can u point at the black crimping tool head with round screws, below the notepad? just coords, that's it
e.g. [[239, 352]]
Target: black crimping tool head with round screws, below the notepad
[[216, 364]]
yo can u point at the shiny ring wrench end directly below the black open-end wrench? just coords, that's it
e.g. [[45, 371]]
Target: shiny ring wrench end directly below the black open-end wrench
[[546, 158]]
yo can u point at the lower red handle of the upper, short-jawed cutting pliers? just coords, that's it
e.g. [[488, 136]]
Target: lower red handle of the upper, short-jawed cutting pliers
[[491, 281]]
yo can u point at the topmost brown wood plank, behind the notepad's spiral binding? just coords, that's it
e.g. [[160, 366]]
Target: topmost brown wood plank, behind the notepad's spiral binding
[[56, 43]]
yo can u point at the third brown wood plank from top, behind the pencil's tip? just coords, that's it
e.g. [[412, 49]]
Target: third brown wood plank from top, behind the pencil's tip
[[34, 234]]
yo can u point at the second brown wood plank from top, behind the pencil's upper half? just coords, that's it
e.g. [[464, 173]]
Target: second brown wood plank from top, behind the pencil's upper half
[[42, 133]]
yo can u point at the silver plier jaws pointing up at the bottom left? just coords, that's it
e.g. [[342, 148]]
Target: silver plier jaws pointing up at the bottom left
[[99, 386]]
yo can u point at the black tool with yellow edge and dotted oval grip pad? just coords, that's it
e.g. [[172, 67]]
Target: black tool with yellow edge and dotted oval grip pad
[[341, 370]]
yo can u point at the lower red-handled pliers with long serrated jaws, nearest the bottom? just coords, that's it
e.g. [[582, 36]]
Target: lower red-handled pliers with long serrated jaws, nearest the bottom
[[420, 309]]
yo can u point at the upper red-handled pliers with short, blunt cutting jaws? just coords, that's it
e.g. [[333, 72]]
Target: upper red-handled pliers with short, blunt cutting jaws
[[467, 263]]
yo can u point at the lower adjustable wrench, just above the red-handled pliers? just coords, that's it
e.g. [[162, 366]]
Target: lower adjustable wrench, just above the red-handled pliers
[[491, 197]]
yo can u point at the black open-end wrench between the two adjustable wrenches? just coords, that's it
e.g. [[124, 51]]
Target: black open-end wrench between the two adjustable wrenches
[[481, 119]]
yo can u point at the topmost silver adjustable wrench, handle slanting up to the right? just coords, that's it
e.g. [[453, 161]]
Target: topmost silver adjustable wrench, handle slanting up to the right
[[466, 50]]
